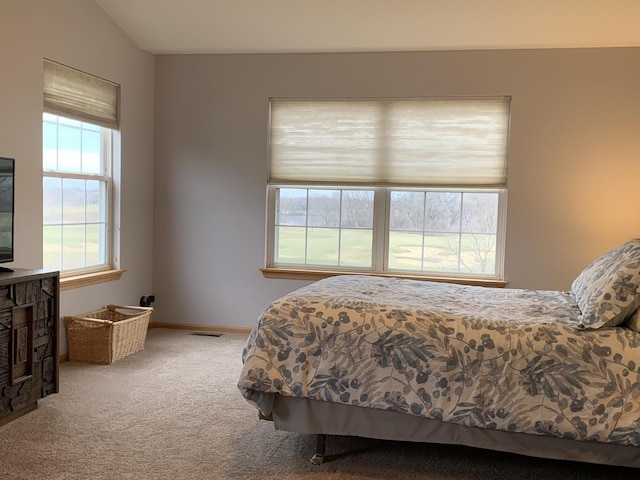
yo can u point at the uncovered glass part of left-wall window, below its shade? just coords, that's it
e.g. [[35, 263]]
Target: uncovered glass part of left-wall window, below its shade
[[76, 195]]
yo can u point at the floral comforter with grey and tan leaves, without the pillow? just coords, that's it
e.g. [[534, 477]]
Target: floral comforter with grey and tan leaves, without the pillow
[[504, 359]]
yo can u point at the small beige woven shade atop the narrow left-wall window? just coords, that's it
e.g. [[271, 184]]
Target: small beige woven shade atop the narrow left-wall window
[[78, 95]]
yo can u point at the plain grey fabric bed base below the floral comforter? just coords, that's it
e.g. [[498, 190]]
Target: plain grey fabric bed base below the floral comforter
[[302, 415]]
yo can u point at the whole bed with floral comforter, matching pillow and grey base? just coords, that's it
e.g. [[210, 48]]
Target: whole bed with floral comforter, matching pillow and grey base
[[543, 373]]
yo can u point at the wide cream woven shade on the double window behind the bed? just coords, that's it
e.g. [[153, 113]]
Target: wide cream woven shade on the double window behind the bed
[[407, 142]]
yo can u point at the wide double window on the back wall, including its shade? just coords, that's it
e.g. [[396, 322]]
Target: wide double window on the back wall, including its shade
[[389, 186]]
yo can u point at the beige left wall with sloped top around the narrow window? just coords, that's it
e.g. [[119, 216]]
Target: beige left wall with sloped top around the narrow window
[[79, 34]]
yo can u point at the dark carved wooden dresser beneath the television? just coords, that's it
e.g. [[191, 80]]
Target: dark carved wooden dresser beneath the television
[[29, 361]]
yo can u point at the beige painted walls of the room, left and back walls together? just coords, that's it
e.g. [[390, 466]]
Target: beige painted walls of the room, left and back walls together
[[573, 164]]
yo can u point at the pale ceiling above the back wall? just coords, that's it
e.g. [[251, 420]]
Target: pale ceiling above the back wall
[[287, 26]]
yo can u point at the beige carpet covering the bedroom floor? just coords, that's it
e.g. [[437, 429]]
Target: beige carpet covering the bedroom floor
[[173, 412]]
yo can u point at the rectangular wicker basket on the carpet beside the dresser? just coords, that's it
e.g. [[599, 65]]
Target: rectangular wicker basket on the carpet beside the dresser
[[107, 335]]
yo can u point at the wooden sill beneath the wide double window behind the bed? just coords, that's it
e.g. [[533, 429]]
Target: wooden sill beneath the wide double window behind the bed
[[290, 273]]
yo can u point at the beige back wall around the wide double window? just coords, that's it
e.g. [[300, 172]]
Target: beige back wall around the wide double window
[[573, 166]]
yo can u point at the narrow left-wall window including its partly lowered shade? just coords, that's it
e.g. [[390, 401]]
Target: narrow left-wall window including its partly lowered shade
[[78, 129]]
